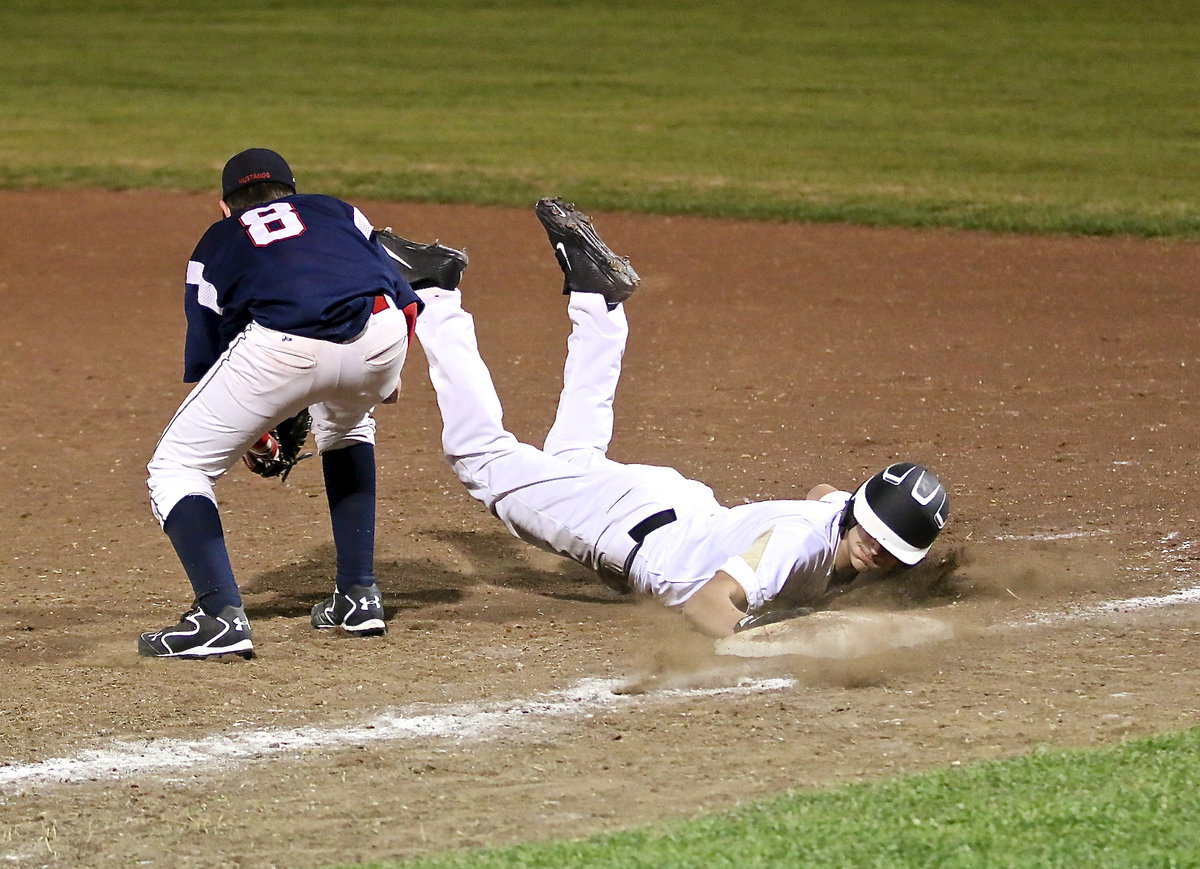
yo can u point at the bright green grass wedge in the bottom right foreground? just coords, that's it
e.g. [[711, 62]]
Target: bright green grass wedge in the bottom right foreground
[[1136, 805]]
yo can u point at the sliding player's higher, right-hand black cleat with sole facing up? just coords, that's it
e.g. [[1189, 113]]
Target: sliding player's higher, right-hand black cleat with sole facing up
[[587, 263]]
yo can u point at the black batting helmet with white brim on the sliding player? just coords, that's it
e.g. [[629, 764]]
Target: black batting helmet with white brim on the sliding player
[[904, 507]]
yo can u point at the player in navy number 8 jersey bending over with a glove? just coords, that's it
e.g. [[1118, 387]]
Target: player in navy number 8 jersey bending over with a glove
[[292, 304]]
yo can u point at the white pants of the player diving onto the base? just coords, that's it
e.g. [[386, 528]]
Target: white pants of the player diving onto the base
[[569, 498]]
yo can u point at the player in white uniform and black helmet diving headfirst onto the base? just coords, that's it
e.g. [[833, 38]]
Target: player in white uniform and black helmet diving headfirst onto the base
[[650, 530]]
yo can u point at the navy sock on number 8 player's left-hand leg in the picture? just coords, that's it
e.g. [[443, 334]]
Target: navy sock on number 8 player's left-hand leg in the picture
[[195, 530]]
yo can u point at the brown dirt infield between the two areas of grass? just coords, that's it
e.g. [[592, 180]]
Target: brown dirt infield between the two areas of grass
[[1051, 382]]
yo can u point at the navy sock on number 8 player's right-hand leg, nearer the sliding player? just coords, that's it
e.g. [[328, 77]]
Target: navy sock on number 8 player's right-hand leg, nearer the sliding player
[[351, 489]]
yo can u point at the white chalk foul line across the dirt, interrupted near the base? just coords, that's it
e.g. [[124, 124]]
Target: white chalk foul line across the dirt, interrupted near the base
[[164, 757]]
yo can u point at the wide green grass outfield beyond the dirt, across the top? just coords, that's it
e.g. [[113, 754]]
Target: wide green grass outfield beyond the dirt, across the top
[[1075, 116]]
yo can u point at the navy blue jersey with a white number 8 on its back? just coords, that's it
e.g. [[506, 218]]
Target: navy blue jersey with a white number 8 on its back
[[305, 265]]
